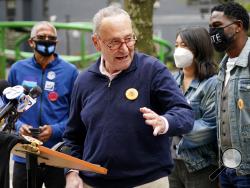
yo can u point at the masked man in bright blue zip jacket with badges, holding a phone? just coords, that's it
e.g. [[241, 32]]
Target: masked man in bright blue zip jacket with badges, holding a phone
[[47, 118]]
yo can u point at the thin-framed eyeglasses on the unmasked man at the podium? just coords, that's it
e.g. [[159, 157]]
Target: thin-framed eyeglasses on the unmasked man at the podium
[[115, 44]]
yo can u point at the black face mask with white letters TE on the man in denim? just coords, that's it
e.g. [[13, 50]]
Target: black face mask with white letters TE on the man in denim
[[220, 40]]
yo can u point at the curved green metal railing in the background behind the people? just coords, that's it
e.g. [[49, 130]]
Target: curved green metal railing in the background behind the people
[[164, 48]]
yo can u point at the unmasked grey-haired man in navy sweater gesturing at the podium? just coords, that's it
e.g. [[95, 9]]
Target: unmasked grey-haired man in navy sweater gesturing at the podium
[[123, 111]]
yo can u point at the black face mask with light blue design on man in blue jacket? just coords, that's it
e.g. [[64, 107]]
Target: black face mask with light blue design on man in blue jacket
[[45, 48]]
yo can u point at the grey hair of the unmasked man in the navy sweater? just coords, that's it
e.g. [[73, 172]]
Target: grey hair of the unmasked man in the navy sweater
[[107, 12]]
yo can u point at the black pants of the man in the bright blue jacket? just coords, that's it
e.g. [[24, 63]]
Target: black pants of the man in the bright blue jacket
[[52, 177]]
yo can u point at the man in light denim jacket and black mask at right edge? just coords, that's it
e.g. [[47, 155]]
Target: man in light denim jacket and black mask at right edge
[[228, 28]]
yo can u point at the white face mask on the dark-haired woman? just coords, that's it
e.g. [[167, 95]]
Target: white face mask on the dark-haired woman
[[183, 57]]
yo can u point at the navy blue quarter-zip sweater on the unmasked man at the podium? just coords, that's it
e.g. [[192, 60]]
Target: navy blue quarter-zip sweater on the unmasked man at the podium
[[108, 129]]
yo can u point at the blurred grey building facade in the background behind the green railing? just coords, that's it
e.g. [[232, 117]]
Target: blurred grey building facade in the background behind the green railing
[[169, 16]]
